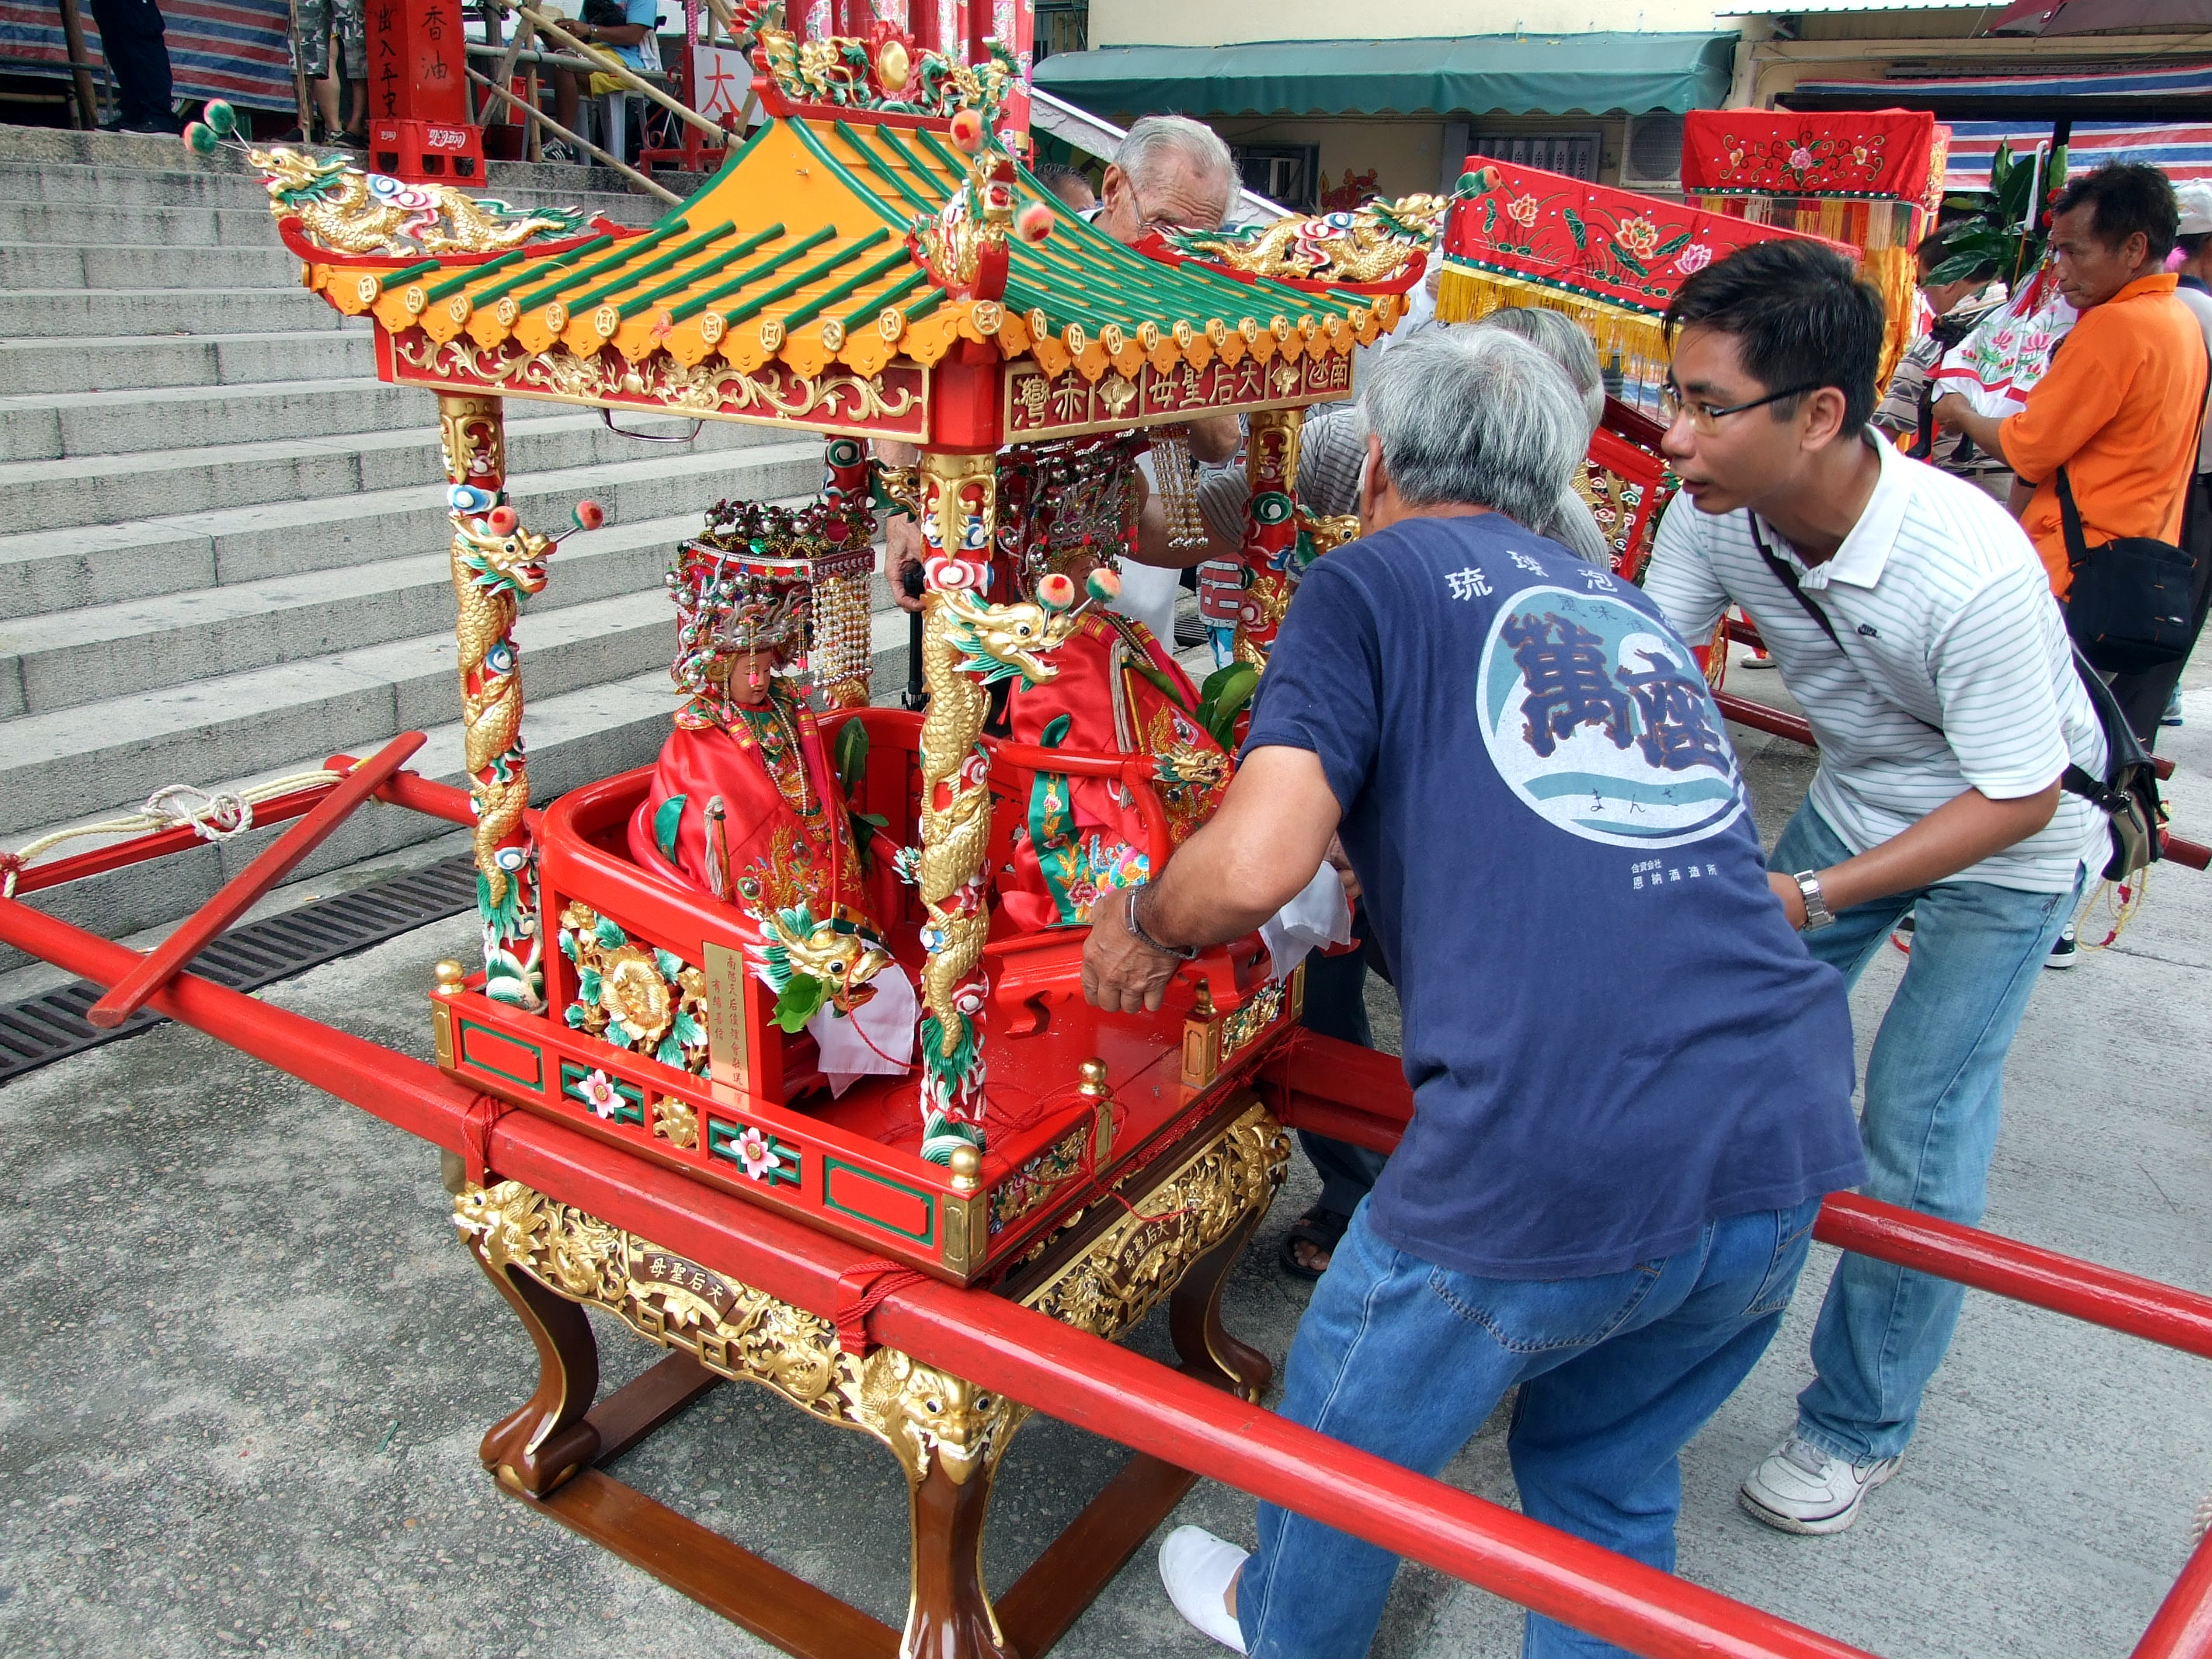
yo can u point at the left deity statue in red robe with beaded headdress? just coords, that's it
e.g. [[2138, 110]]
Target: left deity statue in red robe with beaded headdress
[[747, 802]]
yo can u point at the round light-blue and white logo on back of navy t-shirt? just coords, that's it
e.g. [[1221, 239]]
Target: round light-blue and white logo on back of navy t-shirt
[[1603, 722]]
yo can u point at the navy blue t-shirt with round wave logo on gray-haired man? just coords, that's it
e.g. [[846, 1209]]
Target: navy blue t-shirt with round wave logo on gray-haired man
[[1611, 1032]]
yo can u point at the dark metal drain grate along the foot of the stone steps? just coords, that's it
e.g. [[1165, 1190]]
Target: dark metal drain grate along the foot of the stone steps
[[48, 1027]]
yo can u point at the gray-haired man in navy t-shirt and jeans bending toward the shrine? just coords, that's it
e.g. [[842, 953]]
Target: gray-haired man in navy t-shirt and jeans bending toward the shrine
[[1534, 786]]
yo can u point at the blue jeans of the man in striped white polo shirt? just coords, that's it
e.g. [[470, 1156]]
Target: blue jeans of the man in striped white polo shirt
[[1930, 1125]]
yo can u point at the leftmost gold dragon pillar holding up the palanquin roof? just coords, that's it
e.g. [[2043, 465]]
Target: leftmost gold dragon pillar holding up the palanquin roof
[[497, 565]]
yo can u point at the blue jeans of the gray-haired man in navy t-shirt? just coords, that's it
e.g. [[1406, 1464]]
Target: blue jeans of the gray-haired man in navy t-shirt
[[1406, 1359]]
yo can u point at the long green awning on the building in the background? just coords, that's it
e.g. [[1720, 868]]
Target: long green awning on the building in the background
[[1594, 74]]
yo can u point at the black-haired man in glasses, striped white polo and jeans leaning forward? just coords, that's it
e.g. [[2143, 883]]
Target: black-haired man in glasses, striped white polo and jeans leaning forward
[[1912, 620]]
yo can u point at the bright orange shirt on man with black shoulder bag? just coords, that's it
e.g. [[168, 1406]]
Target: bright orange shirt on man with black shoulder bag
[[2122, 410]]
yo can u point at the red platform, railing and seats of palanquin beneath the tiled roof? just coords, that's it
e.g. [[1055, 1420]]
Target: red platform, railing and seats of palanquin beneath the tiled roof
[[758, 1118]]
